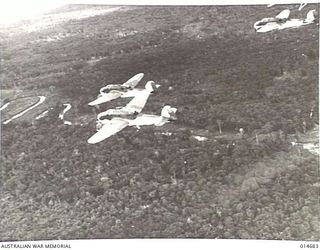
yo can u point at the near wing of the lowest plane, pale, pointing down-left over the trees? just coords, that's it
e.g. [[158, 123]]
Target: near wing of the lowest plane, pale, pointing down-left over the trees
[[110, 128]]
